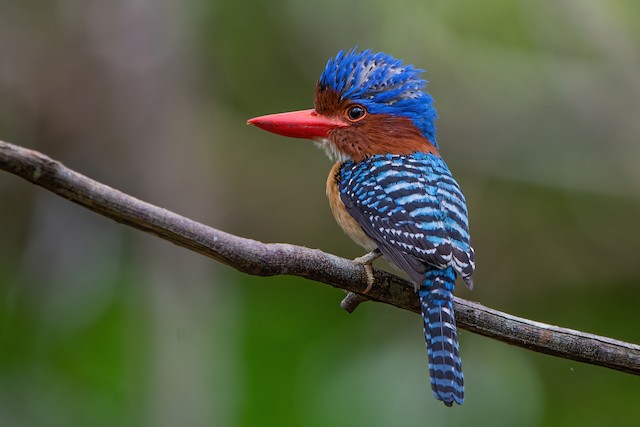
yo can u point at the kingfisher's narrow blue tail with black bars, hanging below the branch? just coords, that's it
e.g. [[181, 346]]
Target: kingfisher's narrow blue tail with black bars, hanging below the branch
[[445, 366]]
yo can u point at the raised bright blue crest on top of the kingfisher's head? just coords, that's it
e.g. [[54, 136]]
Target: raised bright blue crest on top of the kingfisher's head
[[383, 85]]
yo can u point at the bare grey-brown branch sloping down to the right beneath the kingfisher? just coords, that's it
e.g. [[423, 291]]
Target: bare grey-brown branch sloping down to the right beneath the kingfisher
[[261, 259]]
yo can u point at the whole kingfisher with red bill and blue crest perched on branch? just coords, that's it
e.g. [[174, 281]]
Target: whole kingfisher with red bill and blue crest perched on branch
[[390, 190]]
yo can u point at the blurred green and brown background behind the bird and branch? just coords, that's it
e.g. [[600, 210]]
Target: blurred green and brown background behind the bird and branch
[[102, 325]]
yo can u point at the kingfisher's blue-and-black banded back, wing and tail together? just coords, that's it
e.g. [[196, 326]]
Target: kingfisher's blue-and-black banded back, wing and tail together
[[415, 212]]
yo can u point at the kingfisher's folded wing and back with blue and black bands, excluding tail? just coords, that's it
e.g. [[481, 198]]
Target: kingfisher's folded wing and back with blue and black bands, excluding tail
[[413, 209]]
